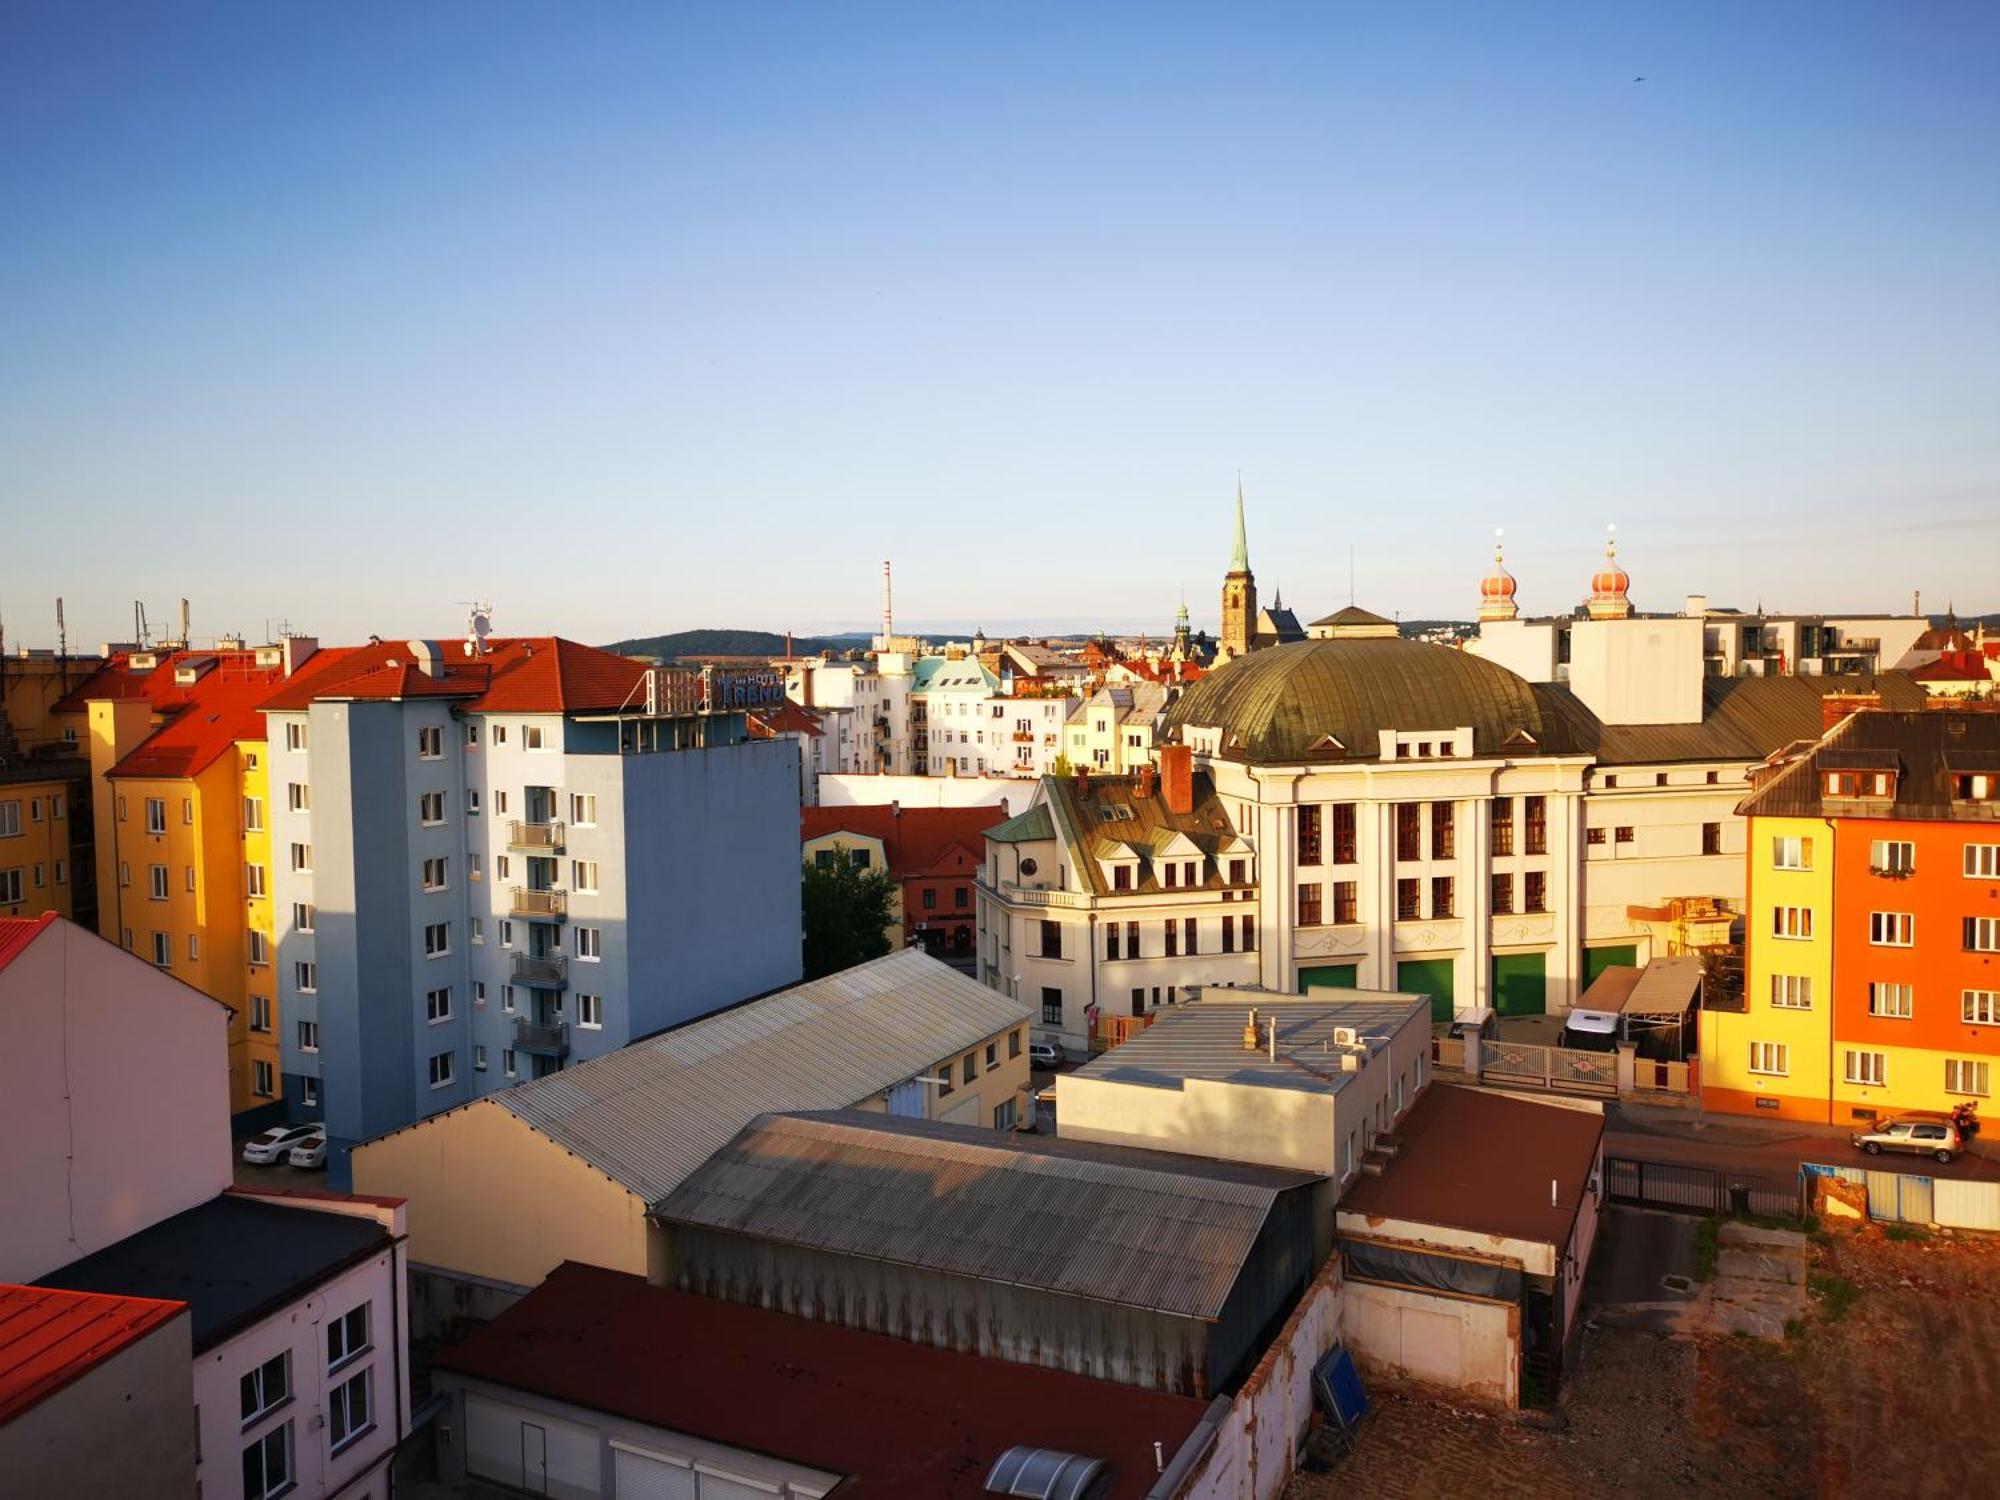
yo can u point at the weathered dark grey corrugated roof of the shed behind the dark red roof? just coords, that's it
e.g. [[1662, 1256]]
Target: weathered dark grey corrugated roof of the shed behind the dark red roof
[[1109, 1223]]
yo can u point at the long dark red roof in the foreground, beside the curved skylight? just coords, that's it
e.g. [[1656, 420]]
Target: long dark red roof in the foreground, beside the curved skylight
[[899, 1419]]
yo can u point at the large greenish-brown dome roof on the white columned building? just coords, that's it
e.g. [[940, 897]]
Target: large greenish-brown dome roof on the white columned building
[[1283, 703]]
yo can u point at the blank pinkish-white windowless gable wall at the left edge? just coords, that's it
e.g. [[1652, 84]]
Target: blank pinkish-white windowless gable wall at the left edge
[[115, 1101]]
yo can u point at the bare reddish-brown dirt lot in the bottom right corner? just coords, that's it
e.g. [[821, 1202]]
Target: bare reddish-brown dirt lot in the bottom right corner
[[1887, 1391]]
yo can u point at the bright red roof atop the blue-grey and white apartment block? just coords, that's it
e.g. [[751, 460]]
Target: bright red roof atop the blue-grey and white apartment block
[[543, 675]]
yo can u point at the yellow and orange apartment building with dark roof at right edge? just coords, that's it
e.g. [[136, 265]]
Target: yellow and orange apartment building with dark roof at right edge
[[1873, 971]]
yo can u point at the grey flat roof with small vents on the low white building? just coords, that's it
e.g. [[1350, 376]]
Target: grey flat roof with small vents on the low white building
[[1205, 1039]]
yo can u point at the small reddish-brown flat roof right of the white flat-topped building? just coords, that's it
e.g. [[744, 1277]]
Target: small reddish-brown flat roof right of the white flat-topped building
[[1469, 1159]]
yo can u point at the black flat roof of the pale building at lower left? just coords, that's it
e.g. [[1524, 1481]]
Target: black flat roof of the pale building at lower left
[[233, 1261]]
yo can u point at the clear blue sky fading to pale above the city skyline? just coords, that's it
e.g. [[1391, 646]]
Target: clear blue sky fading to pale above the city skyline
[[649, 317]]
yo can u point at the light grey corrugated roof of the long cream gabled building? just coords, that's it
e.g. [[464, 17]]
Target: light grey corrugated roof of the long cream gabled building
[[651, 1113]]
